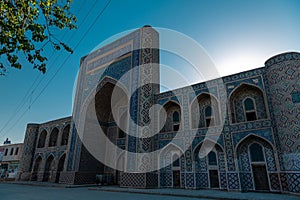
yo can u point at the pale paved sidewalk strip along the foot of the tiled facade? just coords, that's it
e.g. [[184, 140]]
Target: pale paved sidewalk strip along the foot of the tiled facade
[[208, 194]]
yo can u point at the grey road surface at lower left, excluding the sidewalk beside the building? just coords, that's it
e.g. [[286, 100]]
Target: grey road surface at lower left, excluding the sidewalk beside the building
[[25, 192]]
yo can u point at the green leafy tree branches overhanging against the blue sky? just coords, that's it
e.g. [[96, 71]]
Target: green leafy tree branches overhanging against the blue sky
[[27, 26]]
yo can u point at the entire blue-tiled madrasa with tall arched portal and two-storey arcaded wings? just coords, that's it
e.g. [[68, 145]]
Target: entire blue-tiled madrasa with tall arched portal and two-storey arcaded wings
[[249, 122]]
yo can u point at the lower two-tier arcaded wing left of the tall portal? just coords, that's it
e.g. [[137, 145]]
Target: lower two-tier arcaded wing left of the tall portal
[[45, 150]]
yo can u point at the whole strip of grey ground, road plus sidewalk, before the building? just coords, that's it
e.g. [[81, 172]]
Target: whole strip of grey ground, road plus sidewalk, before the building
[[33, 191]]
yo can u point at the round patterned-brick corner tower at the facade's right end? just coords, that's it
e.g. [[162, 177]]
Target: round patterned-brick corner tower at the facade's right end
[[283, 75]]
